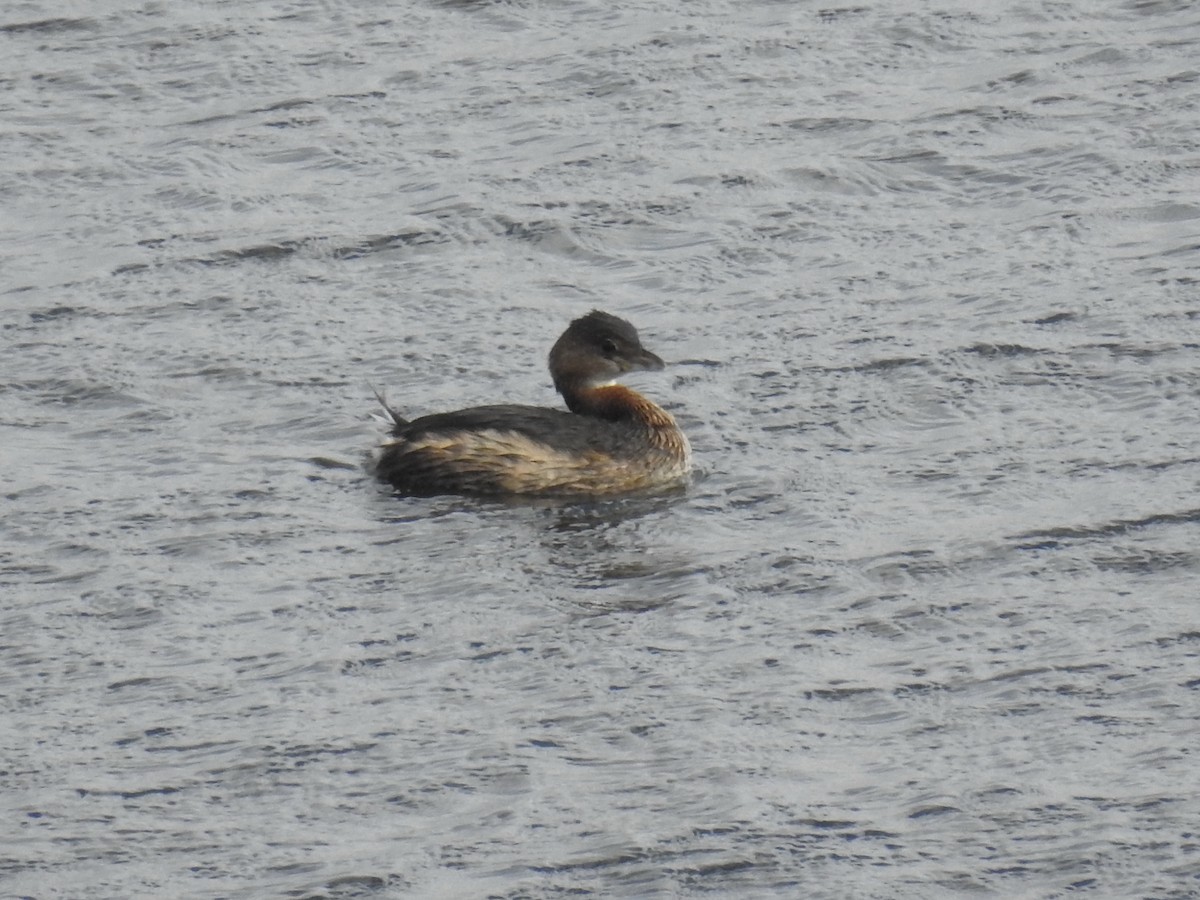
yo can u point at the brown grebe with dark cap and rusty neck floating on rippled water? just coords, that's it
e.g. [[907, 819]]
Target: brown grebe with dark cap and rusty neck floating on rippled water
[[614, 441]]
